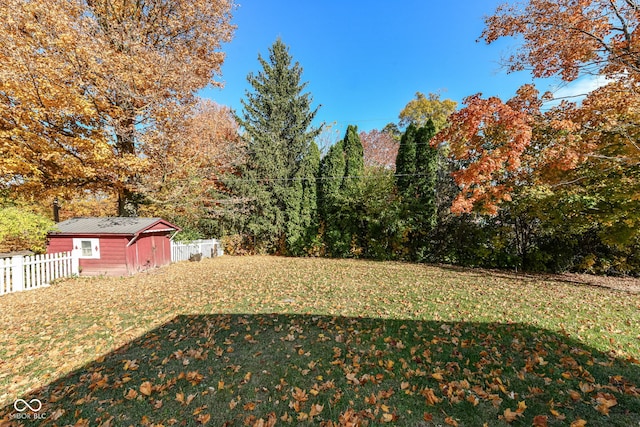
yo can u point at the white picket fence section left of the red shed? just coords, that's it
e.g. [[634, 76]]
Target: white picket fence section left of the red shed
[[21, 273]]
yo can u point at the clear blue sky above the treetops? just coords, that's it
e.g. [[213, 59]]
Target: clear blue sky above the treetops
[[364, 61]]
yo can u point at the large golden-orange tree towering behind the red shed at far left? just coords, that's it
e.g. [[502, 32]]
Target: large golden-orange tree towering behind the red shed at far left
[[82, 82]]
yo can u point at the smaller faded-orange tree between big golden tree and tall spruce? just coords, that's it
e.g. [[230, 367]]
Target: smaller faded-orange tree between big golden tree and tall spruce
[[189, 154]]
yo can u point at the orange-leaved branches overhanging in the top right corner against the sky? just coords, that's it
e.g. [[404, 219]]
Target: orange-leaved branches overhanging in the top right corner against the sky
[[568, 37]]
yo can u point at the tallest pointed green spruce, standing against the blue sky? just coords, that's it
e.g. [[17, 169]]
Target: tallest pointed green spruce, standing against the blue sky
[[276, 120]]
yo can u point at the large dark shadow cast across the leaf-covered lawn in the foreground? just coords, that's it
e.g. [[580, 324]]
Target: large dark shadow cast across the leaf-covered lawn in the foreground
[[277, 369]]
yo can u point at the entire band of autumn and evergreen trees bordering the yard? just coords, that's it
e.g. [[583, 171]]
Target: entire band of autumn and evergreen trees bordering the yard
[[508, 184]]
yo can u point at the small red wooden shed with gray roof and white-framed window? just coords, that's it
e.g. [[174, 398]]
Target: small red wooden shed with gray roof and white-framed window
[[115, 246]]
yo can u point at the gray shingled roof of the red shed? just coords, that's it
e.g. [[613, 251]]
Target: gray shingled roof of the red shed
[[107, 225]]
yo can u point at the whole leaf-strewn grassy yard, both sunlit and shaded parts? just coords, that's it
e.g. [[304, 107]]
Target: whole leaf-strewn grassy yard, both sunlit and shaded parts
[[264, 341]]
